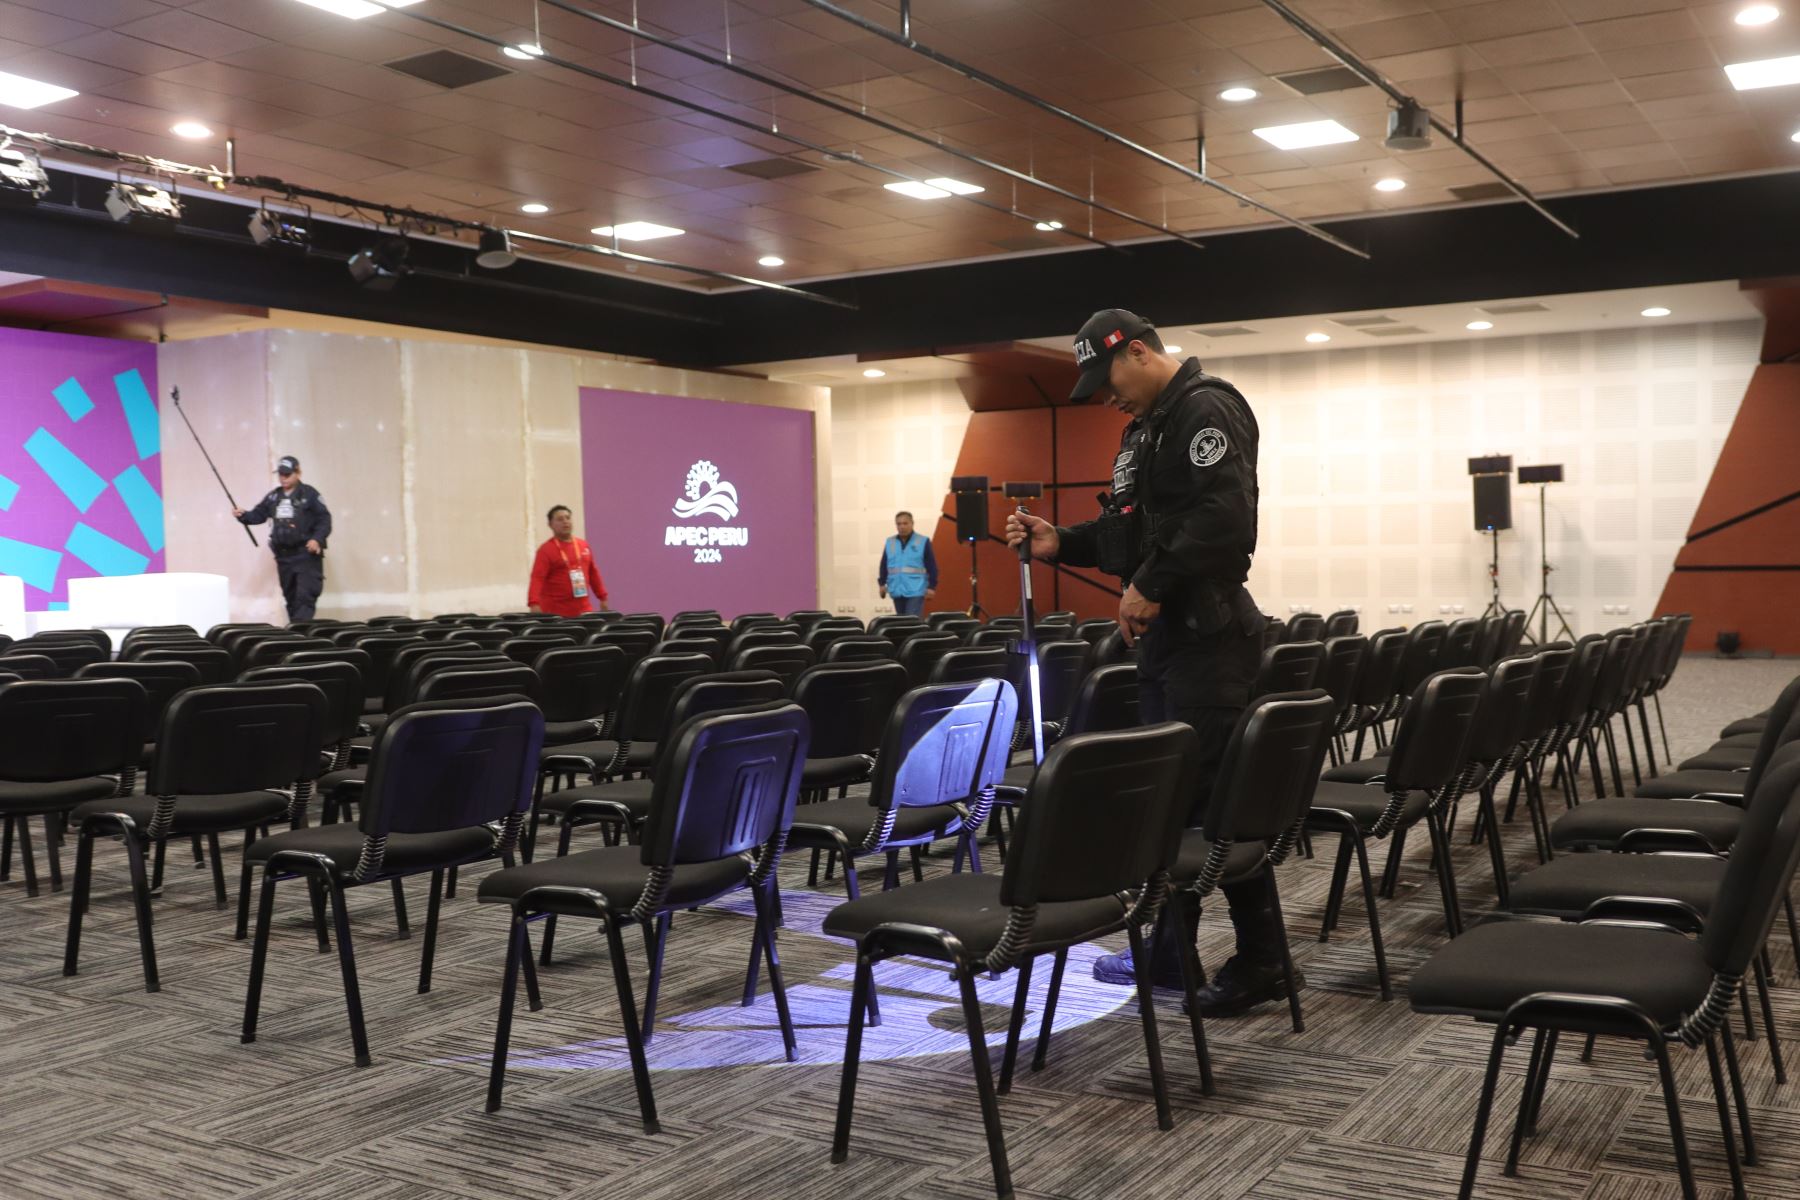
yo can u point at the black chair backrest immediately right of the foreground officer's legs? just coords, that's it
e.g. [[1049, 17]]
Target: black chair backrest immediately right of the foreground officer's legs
[[1270, 767]]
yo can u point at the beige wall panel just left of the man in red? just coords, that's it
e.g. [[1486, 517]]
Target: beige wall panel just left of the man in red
[[467, 476]]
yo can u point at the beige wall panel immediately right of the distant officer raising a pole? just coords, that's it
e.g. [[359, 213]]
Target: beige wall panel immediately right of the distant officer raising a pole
[[336, 404]]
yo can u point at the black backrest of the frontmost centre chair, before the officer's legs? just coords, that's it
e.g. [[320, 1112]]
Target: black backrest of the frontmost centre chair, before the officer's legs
[[1102, 816]]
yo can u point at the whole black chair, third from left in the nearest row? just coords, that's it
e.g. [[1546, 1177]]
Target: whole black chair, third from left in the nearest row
[[449, 785]]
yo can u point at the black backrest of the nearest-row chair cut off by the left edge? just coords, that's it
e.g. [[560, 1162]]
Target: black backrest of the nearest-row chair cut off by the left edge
[[69, 730]]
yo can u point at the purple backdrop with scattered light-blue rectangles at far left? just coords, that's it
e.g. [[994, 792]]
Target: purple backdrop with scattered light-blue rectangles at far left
[[80, 461]]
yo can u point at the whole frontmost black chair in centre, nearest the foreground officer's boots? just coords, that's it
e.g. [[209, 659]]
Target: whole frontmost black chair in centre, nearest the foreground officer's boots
[[1092, 857]]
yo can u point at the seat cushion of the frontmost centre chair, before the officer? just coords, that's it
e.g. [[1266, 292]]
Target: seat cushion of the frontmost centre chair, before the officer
[[969, 906]]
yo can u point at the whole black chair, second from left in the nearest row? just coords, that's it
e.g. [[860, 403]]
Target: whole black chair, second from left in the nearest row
[[228, 758]]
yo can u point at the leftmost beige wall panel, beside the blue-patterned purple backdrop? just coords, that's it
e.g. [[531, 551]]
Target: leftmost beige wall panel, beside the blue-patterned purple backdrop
[[226, 397]]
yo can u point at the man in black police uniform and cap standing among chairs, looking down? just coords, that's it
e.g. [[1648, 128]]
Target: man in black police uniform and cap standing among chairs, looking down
[[1178, 530]]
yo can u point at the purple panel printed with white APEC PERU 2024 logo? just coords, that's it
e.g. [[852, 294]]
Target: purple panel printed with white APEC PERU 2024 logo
[[699, 503]]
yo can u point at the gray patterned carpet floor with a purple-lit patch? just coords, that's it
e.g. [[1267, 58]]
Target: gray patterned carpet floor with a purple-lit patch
[[114, 1093]]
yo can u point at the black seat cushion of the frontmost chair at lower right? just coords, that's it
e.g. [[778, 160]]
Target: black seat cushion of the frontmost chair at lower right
[[1491, 967]]
